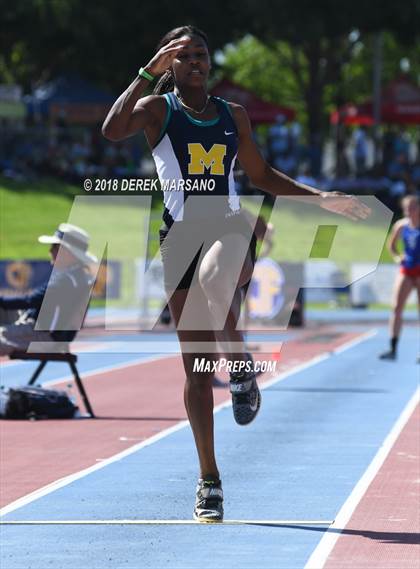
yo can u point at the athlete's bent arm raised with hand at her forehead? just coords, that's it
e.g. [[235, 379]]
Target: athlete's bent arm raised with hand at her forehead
[[132, 112]]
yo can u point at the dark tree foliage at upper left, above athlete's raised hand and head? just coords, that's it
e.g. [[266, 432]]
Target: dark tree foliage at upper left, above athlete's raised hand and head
[[104, 40]]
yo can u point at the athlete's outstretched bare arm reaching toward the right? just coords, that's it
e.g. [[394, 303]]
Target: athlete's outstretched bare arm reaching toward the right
[[263, 176]]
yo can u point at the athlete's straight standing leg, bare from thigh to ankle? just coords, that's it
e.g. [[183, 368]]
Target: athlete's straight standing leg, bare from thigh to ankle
[[198, 392]]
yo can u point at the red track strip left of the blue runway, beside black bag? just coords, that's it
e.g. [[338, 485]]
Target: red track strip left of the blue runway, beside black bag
[[132, 404]]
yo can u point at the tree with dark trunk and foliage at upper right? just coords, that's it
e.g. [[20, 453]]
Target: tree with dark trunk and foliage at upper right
[[322, 43]]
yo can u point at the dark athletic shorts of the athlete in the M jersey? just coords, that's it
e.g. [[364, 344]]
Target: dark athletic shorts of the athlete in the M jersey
[[204, 234]]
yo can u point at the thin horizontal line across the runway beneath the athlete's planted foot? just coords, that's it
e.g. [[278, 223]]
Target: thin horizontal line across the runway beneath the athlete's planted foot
[[164, 522]]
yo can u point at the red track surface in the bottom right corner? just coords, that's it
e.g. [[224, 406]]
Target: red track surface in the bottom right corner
[[384, 531]]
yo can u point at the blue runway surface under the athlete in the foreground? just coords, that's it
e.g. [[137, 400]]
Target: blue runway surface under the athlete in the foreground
[[317, 432]]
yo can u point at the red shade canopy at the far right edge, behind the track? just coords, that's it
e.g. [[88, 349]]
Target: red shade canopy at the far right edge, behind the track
[[400, 105]]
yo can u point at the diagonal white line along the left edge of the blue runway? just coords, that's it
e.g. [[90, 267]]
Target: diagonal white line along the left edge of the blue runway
[[25, 500]]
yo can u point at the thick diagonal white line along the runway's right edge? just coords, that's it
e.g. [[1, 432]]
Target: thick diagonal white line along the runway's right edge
[[321, 553]]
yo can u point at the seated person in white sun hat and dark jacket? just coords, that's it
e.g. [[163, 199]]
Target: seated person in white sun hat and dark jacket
[[53, 312]]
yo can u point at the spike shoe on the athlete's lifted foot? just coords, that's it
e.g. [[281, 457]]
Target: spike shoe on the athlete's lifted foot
[[246, 397]]
